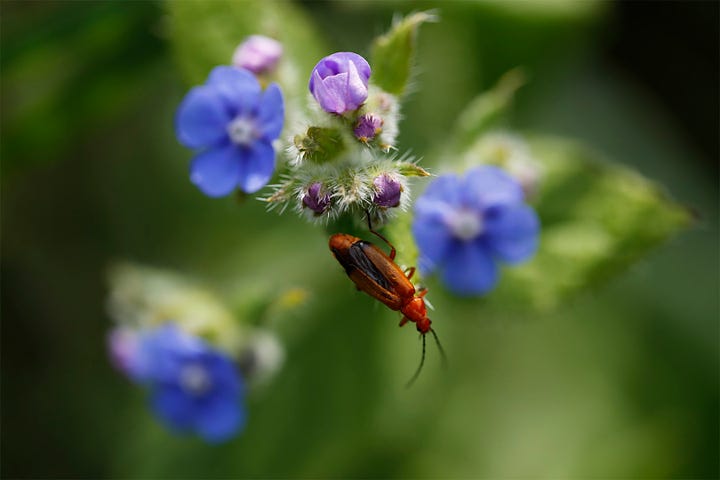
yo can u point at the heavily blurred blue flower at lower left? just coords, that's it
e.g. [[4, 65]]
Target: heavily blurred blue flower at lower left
[[194, 387]]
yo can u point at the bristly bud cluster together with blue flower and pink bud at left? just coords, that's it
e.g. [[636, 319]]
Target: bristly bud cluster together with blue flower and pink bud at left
[[340, 161]]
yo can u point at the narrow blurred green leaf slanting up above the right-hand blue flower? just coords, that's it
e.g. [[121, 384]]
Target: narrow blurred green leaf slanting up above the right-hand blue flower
[[488, 109]]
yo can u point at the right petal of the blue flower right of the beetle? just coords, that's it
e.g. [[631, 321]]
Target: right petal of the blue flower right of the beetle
[[512, 232]]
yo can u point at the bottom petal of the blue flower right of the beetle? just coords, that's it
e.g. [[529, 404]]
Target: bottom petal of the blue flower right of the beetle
[[469, 269]]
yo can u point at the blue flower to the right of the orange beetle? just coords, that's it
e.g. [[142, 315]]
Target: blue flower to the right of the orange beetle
[[464, 225]]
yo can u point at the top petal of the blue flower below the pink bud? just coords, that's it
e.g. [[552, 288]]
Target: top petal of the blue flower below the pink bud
[[238, 87]]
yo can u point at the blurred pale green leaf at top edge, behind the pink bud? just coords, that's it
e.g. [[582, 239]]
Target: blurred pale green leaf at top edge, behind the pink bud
[[205, 34]]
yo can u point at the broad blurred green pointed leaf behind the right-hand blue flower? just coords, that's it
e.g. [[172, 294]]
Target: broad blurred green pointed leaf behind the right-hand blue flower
[[597, 219]]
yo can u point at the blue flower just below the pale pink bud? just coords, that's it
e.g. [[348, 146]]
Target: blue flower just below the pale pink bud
[[231, 123]]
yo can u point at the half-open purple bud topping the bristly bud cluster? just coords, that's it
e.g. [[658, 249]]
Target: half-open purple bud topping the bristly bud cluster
[[339, 82]]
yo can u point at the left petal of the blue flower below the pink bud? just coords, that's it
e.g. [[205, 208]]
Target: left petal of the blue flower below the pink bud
[[201, 119]]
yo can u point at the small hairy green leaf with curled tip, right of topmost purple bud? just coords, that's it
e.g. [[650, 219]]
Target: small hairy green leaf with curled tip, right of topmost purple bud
[[393, 53]]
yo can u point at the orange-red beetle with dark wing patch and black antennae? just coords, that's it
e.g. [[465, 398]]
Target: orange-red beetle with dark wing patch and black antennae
[[376, 273]]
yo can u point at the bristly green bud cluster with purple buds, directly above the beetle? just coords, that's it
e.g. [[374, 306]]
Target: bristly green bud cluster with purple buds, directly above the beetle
[[341, 161]]
